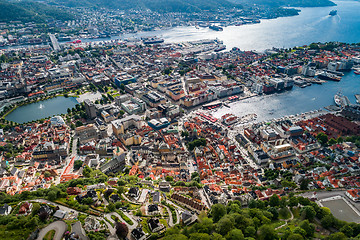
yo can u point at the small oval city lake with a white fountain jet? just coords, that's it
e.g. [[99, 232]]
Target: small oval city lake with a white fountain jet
[[41, 109]]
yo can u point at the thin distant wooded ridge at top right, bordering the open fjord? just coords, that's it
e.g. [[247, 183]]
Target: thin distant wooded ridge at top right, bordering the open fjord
[[288, 3]]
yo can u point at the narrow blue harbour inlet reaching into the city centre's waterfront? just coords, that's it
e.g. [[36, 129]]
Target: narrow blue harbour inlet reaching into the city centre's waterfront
[[297, 100]]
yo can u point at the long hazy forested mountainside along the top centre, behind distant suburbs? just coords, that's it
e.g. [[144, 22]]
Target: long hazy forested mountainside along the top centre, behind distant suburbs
[[154, 5]]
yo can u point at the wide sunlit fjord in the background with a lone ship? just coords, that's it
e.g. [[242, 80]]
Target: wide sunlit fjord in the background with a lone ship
[[311, 25]]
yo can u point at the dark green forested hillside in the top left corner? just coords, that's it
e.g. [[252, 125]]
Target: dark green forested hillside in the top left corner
[[30, 11]]
